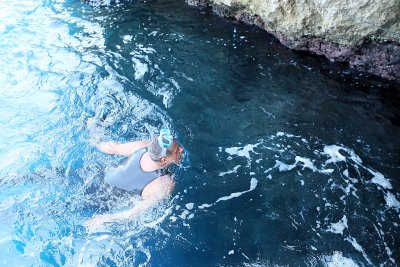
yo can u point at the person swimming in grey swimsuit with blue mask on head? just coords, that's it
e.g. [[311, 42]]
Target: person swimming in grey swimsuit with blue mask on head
[[145, 172]]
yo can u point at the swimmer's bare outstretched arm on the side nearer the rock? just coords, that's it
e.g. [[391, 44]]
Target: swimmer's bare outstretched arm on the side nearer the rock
[[125, 149]]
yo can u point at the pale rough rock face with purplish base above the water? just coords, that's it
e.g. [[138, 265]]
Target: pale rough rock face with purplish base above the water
[[364, 33]]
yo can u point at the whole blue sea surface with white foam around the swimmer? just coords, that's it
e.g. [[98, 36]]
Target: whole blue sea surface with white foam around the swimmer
[[291, 160]]
